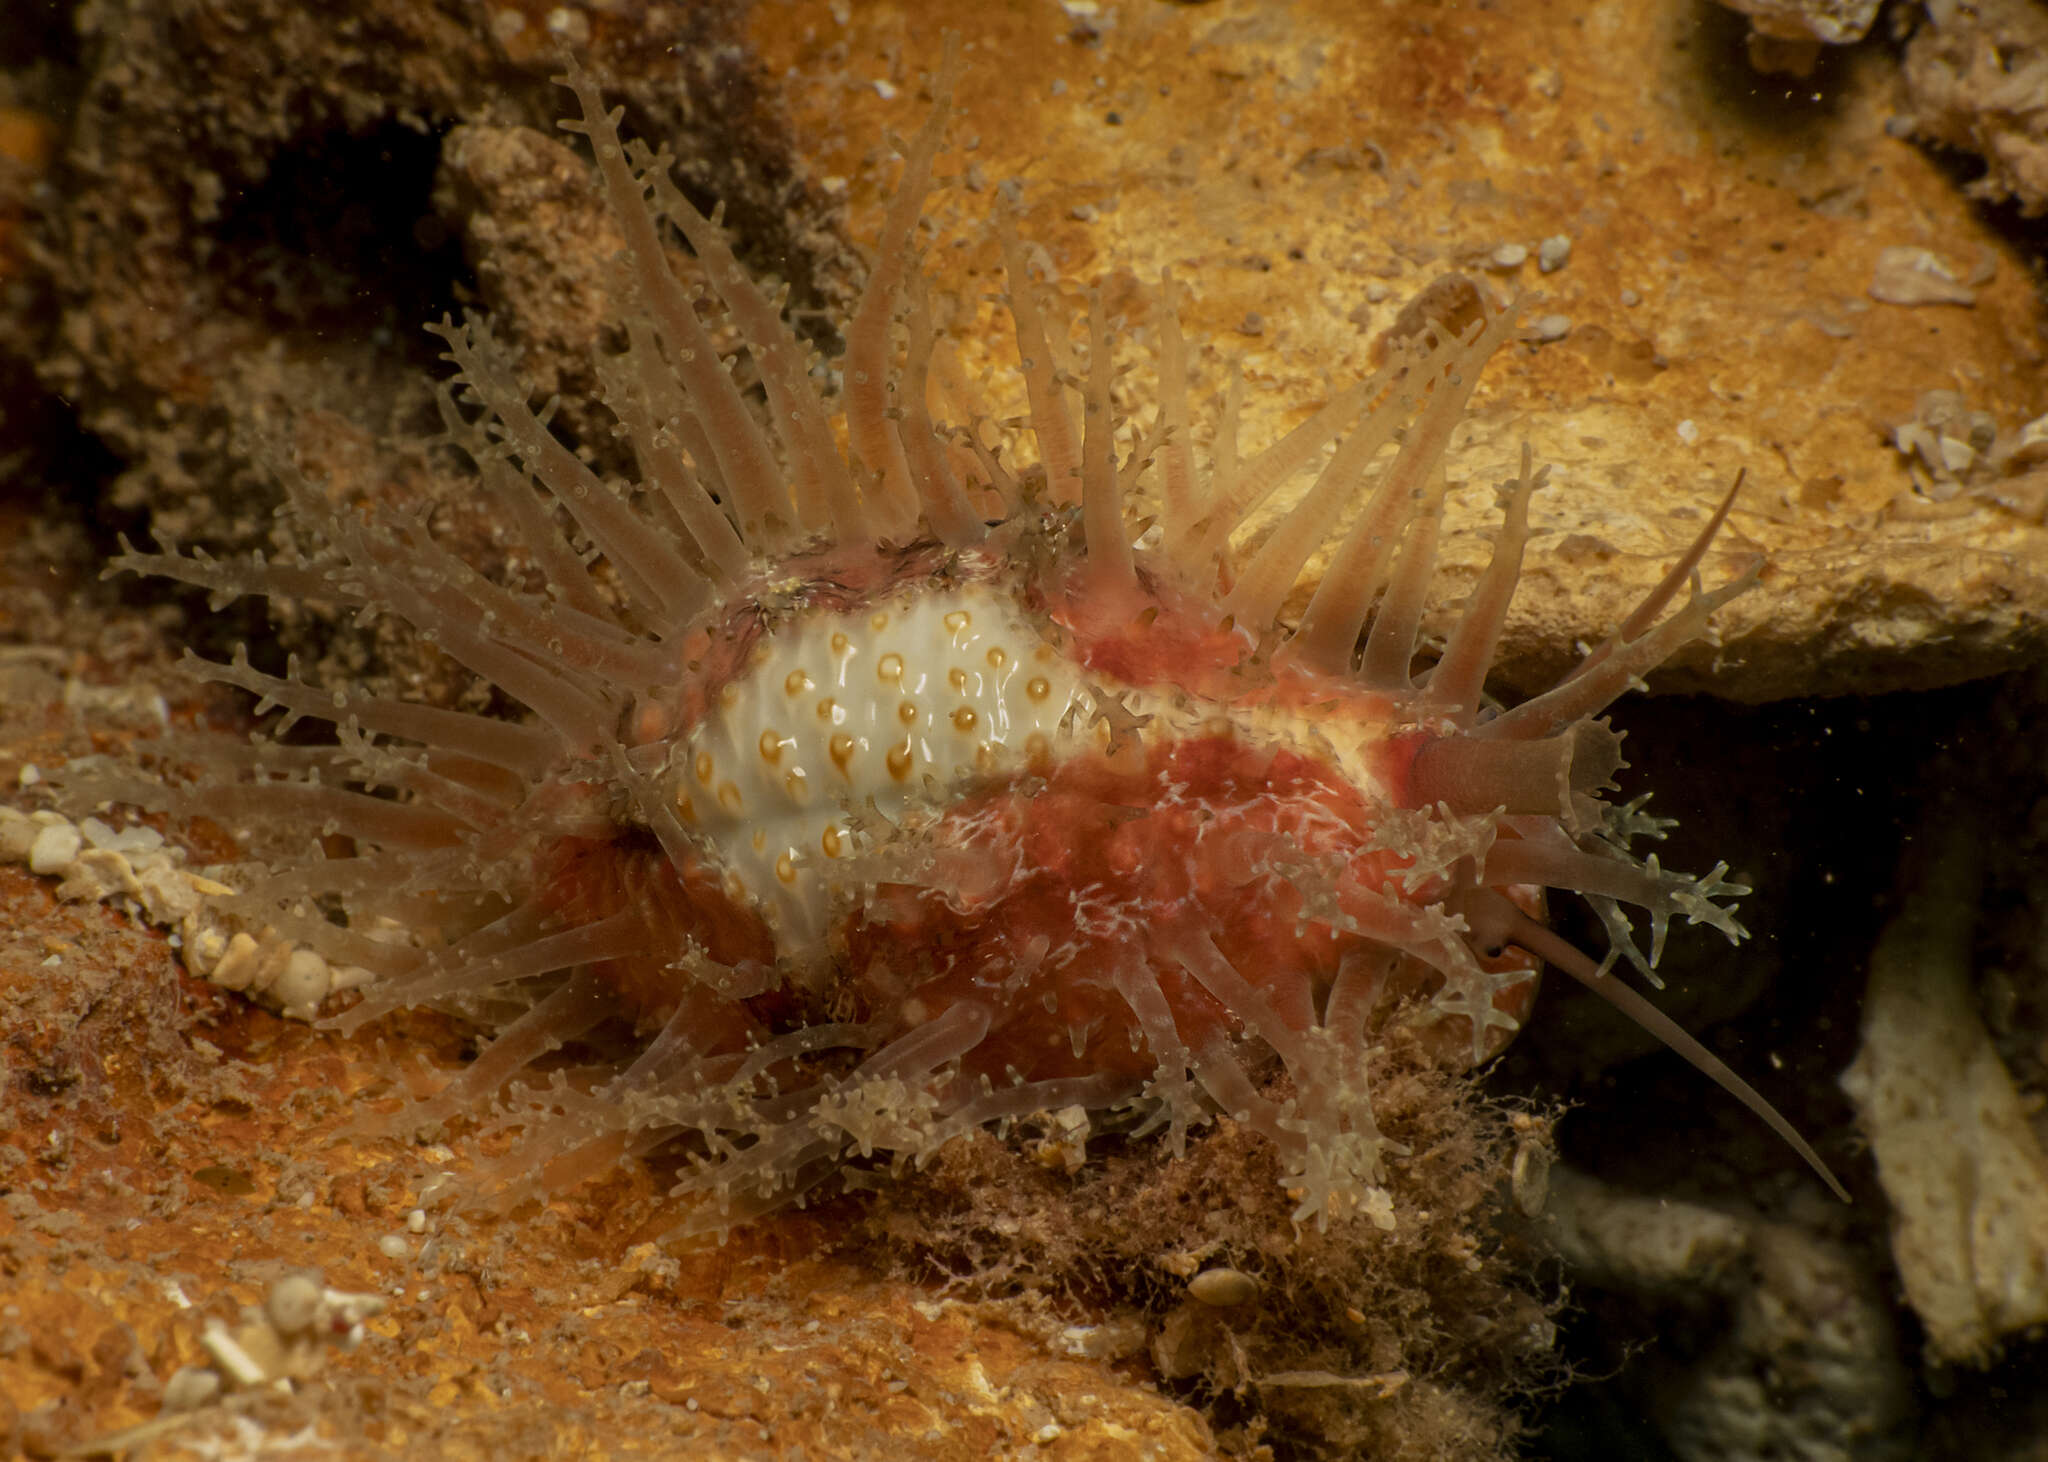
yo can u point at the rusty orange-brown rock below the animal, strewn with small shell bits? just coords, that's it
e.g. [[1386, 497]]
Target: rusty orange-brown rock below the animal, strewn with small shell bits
[[169, 1154]]
